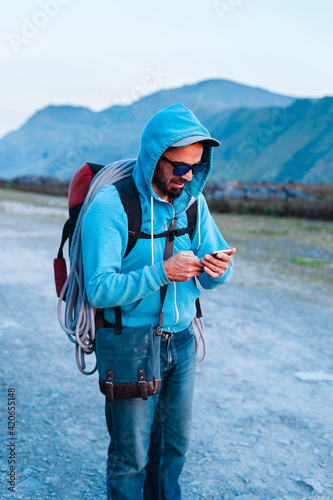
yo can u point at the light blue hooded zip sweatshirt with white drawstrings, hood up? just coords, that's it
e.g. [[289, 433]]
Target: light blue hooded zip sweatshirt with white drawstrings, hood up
[[134, 282]]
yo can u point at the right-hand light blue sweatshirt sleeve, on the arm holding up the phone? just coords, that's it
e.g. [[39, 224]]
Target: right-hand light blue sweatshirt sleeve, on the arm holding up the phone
[[210, 240]]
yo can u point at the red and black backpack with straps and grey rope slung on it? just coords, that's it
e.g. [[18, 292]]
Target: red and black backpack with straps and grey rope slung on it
[[79, 321]]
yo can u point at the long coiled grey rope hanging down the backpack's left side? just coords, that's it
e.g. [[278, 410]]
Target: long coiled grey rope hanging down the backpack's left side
[[78, 321]]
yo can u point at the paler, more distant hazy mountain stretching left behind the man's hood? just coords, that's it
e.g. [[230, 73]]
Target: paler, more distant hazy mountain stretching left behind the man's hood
[[59, 139]]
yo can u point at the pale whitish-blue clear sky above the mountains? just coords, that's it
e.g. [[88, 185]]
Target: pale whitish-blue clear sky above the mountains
[[97, 54]]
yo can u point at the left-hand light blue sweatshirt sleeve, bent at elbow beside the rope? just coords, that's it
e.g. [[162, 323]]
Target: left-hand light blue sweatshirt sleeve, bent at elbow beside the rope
[[104, 240]]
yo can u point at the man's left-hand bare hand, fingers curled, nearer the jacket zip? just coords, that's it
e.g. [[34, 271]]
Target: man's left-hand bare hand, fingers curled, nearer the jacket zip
[[182, 266]]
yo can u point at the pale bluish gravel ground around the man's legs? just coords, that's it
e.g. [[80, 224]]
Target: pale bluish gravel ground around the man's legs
[[263, 410]]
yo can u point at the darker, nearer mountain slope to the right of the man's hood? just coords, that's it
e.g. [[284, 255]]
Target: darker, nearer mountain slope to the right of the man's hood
[[277, 145]]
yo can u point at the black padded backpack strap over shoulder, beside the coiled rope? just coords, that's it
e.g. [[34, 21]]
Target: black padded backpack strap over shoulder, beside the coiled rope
[[129, 196]]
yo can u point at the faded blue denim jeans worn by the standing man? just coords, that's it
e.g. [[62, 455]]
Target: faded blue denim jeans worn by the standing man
[[150, 439]]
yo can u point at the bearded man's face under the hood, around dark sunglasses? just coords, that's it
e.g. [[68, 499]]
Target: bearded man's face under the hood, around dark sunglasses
[[165, 184]]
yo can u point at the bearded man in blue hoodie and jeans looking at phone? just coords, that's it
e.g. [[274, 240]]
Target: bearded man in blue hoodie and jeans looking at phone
[[150, 439]]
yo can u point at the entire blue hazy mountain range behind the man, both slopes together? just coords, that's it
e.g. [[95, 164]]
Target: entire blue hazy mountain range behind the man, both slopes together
[[250, 122]]
